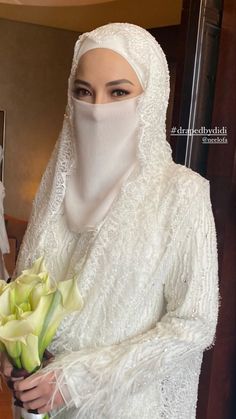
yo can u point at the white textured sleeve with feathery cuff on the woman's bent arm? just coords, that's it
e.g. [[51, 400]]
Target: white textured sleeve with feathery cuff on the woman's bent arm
[[95, 377]]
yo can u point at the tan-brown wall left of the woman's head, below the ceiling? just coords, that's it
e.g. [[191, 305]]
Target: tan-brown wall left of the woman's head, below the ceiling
[[34, 69]]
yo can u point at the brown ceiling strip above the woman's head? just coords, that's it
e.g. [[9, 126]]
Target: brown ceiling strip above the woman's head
[[148, 13]]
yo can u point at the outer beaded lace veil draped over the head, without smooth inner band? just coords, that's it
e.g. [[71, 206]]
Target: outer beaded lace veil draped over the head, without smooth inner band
[[154, 152]]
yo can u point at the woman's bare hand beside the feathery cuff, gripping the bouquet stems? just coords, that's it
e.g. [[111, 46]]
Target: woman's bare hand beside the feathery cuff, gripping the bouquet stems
[[39, 393]]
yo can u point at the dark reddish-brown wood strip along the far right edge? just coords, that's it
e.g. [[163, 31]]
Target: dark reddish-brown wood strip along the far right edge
[[218, 381]]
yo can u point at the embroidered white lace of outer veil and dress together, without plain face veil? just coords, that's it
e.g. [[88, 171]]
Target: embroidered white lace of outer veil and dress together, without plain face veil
[[148, 272]]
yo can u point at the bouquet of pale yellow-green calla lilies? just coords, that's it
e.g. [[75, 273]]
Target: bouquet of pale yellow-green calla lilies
[[31, 309]]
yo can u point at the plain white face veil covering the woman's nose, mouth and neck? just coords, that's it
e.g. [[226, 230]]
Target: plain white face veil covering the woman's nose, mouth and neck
[[105, 149]]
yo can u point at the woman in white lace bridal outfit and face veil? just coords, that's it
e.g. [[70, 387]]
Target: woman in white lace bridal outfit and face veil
[[137, 230]]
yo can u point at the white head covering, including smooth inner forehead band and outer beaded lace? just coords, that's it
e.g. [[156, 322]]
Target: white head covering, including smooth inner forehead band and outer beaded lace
[[139, 186]]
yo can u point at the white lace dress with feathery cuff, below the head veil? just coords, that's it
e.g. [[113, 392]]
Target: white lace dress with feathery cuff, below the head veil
[[135, 350]]
